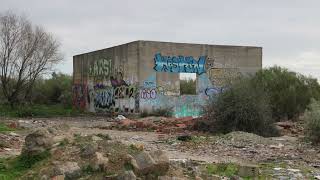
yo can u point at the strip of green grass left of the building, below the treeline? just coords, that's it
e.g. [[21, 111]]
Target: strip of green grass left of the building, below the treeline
[[38, 111]]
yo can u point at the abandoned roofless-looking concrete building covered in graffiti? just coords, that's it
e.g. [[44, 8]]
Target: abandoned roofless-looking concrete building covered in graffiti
[[144, 75]]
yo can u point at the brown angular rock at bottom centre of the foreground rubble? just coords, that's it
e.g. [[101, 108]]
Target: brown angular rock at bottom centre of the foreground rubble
[[149, 163]]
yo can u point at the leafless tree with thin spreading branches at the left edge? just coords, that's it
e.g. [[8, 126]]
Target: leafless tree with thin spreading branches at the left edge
[[26, 53]]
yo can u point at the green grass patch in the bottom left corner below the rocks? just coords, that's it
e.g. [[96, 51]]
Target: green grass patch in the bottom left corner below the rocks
[[13, 168]]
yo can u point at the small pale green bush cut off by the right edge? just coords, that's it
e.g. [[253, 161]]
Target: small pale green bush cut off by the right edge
[[312, 118]]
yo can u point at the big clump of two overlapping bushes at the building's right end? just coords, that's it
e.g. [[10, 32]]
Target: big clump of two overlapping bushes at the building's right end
[[253, 103]]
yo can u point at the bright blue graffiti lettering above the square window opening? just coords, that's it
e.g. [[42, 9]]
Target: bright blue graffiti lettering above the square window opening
[[179, 64]]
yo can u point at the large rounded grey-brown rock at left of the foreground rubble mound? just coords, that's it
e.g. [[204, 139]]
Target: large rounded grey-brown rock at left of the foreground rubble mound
[[37, 142]]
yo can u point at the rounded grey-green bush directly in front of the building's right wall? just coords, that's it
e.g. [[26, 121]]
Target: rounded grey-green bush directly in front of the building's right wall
[[242, 107]]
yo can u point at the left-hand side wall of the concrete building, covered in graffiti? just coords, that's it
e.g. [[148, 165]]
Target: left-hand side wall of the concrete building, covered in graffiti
[[107, 80]]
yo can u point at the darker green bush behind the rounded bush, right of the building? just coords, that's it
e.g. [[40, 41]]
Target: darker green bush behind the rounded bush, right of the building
[[289, 92]]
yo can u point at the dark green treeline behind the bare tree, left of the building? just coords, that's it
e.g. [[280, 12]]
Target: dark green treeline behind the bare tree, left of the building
[[49, 97]]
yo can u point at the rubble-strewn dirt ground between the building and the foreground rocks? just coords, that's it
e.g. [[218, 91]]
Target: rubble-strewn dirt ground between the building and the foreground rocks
[[288, 151]]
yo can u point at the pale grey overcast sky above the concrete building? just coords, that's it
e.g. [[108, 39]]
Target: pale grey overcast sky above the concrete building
[[288, 30]]
